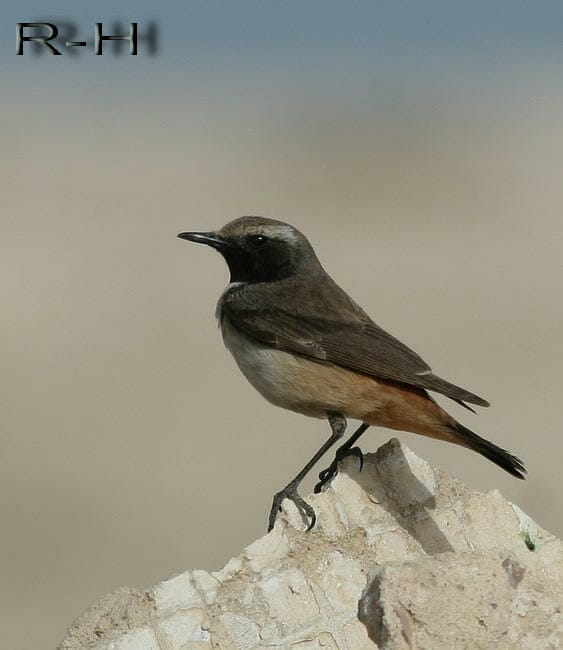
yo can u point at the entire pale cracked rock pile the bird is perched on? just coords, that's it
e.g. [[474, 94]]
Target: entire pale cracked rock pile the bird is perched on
[[402, 556]]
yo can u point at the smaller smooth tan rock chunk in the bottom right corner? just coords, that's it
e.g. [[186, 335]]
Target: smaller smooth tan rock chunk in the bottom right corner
[[479, 599]]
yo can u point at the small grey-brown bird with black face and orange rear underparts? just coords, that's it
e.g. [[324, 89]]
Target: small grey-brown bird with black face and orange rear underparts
[[305, 345]]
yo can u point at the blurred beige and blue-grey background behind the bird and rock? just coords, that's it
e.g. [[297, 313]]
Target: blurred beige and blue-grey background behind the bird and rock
[[418, 145]]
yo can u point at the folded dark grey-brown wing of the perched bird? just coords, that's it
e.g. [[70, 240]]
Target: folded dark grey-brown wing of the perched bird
[[357, 344]]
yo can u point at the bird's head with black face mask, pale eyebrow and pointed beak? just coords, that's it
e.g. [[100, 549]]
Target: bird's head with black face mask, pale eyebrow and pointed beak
[[257, 249]]
